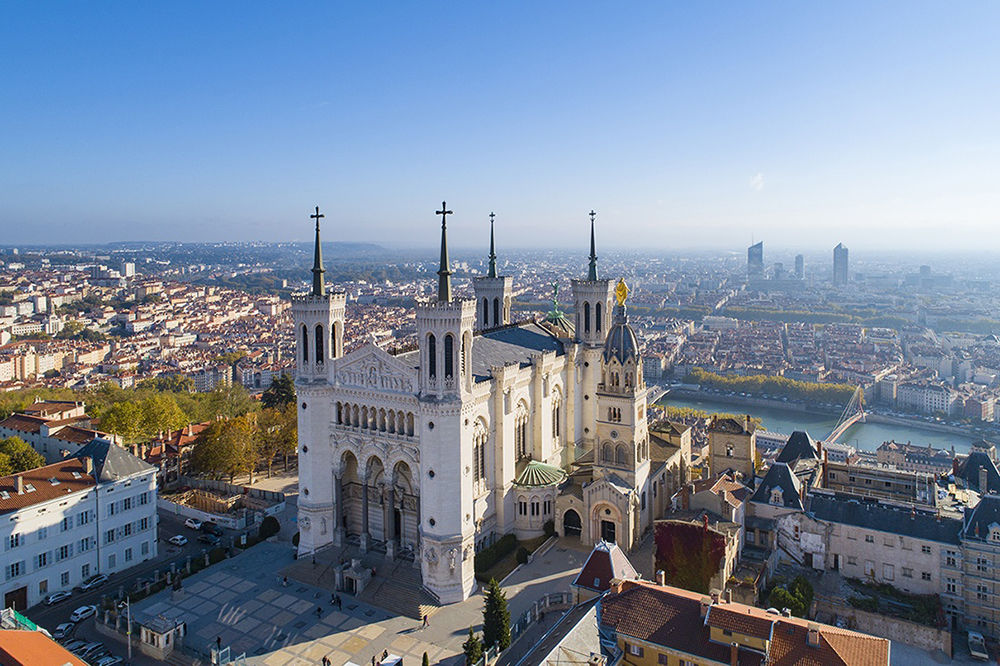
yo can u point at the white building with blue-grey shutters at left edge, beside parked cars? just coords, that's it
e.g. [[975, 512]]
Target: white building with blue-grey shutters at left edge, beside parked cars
[[62, 523]]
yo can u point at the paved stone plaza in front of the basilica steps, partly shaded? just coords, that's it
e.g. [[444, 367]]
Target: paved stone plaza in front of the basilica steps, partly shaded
[[243, 601]]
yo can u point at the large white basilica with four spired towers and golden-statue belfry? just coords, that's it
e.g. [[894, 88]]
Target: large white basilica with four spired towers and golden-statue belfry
[[488, 427]]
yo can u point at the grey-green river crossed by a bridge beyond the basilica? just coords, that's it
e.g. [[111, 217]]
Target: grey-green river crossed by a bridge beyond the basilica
[[866, 436]]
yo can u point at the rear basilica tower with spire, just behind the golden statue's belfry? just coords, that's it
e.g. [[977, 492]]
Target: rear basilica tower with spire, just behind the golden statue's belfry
[[592, 299]]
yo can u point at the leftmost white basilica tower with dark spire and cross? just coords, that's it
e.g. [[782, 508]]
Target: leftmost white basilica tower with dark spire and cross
[[319, 332]]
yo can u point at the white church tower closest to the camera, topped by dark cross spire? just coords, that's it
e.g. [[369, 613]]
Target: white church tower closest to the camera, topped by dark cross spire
[[444, 329]]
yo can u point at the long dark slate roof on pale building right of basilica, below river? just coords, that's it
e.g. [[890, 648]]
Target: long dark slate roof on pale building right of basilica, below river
[[872, 514]]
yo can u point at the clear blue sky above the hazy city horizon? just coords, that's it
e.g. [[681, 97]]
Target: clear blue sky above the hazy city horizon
[[683, 124]]
